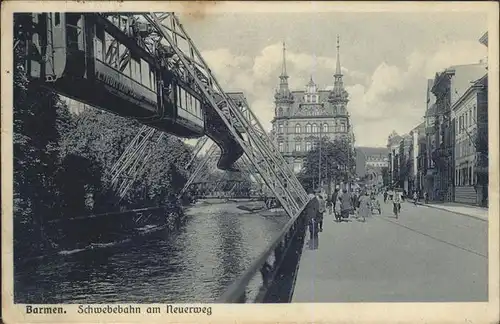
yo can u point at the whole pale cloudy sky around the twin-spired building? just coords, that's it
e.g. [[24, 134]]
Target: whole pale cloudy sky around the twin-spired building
[[386, 58]]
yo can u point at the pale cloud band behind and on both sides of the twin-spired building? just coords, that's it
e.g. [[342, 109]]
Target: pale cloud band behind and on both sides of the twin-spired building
[[391, 96]]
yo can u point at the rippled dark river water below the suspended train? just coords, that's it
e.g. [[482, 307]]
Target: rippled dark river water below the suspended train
[[194, 264]]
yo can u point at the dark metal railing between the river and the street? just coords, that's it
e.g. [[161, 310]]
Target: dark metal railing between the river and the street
[[278, 266]]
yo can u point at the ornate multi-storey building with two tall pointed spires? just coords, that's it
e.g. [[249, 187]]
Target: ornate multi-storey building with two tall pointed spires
[[303, 117]]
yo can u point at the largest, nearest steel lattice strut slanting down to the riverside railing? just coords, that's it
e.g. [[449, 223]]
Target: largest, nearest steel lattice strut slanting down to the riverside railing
[[238, 117]]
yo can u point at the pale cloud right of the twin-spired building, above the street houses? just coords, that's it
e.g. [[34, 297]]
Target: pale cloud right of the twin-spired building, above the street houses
[[395, 99]]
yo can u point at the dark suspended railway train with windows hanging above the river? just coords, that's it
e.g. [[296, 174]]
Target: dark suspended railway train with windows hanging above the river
[[86, 57]]
